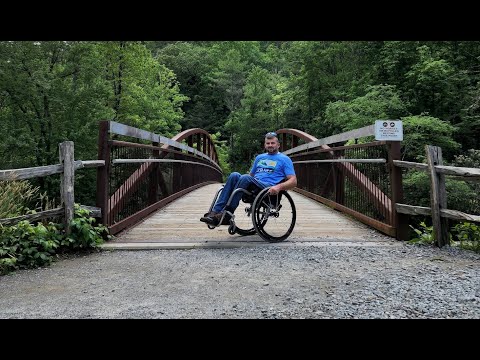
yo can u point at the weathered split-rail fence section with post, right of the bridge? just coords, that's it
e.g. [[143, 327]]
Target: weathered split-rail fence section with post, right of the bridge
[[438, 196]]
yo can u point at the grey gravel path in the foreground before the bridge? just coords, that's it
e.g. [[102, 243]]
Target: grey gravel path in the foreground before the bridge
[[269, 281]]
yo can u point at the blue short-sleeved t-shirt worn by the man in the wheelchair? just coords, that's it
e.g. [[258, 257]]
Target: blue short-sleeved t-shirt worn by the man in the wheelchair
[[272, 169]]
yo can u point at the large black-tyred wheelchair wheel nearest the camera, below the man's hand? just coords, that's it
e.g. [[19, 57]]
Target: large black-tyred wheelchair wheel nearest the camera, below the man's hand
[[274, 216]]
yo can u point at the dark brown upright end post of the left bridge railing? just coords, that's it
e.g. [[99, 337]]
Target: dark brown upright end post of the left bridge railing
[[103, 172]]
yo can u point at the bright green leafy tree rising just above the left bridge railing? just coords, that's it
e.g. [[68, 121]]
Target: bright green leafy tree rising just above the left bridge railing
[[145, 94]]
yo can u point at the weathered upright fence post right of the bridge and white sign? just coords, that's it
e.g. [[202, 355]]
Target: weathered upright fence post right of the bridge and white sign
[[438, 195]]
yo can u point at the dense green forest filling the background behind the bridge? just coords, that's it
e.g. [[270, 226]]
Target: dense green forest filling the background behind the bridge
[[52, 91]]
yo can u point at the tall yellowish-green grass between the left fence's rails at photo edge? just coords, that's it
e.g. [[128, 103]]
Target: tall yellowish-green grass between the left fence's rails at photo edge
[[16, 197]]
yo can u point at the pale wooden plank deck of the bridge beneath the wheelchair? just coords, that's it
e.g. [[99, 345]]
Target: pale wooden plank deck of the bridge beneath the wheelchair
[[178, 226]]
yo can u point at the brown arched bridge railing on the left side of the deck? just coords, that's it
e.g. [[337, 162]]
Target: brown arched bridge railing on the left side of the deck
[[140, 178]]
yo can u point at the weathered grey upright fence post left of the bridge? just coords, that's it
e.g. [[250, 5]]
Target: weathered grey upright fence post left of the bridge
[[66, 152]]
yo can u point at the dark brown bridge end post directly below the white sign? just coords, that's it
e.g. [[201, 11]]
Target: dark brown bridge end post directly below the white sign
[[400, 221]]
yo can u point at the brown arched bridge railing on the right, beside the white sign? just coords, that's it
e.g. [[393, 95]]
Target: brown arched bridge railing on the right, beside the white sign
[[358, 179]]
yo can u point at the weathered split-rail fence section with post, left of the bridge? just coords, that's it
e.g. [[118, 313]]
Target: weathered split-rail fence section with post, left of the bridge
[[67, 168]]
